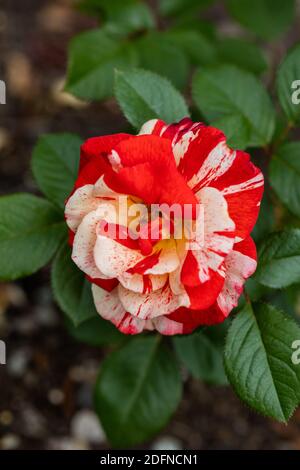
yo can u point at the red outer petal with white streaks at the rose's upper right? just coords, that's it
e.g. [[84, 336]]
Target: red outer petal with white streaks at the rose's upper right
[[204, 159]]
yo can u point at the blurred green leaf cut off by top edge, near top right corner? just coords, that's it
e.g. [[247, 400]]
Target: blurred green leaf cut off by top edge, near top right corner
[[266, 18]]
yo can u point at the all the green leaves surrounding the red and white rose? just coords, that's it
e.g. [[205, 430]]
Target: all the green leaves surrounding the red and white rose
[[153, 62]]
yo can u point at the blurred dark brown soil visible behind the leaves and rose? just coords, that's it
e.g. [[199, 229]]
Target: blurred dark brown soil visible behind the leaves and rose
[[46, 385]]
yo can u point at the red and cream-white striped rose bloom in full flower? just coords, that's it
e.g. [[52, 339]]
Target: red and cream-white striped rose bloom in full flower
[[168, 284]]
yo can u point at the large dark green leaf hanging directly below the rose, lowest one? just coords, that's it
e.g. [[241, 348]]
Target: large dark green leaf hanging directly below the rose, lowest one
[[137, 391]]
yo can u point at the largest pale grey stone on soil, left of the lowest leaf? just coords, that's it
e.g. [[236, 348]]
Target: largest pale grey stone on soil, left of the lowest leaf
[[86, 427]]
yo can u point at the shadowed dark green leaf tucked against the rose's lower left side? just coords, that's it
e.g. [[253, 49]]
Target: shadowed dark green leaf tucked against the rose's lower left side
[[71, 289]]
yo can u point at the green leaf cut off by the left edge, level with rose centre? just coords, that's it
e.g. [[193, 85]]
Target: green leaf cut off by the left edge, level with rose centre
[[31, 230]]
